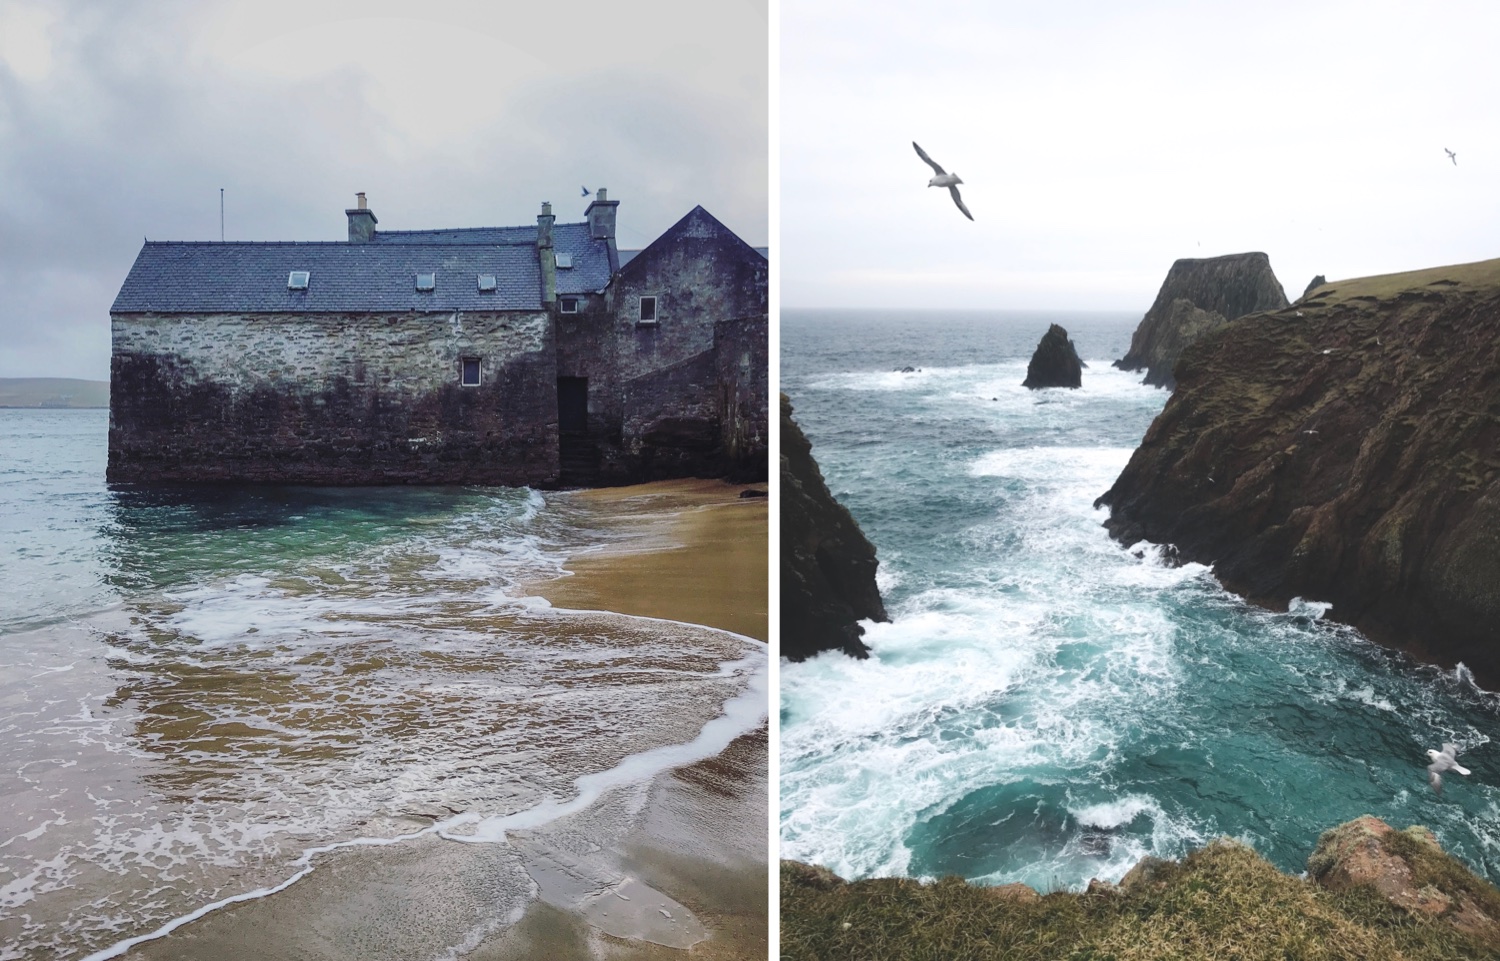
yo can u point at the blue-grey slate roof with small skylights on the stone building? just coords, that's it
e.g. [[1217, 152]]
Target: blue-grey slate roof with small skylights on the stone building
[[251, 278]]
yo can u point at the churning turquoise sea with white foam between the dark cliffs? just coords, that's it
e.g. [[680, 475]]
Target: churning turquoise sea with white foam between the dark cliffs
[[1048, 705]]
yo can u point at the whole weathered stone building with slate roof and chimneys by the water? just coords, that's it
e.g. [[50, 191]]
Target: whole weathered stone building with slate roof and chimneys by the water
[[478, 356]]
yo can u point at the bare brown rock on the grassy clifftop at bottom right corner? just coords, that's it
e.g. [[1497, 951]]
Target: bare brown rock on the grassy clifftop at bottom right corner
[[1411, 870]]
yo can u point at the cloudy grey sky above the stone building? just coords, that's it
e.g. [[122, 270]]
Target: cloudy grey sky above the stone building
[[122, 121]]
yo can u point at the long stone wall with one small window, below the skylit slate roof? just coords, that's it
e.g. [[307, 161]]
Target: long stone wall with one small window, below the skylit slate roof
[[334, 400]]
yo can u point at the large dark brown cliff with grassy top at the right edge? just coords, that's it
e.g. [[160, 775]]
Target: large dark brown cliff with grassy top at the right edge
[[1351, 455]]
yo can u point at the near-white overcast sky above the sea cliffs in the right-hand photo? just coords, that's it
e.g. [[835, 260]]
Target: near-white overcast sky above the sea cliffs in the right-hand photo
[[1102, 142]]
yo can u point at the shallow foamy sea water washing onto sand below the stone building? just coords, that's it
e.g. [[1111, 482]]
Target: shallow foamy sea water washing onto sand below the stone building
[[199, 687]]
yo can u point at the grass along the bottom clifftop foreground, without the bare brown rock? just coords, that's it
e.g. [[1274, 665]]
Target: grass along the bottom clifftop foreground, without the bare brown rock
[[1220, 903]]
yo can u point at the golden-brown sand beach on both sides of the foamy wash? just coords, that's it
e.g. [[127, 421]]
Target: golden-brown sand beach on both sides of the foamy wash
[[692, 839]]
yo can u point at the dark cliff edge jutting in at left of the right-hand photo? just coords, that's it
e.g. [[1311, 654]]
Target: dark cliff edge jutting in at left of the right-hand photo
[[827, 564]]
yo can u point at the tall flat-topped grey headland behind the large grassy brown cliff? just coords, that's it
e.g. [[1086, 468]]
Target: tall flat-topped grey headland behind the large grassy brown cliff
[[1199, 298]]
